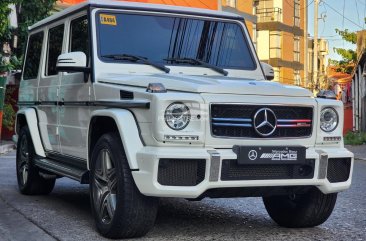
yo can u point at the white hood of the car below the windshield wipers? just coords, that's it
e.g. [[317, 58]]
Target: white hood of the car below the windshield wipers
[[208, 84]]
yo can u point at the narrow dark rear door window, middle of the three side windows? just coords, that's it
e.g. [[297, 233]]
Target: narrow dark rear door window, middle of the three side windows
[[55, 37]]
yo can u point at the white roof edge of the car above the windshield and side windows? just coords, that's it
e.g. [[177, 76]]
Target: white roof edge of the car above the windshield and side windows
[[138, 7]]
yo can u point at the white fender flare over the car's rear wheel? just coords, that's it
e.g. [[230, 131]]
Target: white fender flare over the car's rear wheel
[[32, 122]]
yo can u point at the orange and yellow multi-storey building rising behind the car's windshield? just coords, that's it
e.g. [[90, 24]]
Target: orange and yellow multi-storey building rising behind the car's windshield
[[279, 30]]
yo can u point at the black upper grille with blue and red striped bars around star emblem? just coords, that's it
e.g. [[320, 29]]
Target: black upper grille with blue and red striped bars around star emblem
[[236, 120]]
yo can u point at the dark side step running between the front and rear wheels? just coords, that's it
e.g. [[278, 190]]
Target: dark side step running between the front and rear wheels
[[63, 169]]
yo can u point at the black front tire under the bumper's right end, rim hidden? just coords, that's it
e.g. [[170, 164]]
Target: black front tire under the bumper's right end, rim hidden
[[301, 211]]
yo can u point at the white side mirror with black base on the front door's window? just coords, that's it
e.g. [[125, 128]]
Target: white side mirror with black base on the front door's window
[[73, 62]]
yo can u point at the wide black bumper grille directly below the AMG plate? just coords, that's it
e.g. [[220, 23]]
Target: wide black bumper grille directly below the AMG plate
[[232, 171]]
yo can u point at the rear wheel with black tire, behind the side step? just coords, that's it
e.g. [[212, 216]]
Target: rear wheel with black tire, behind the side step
[[29, 180]]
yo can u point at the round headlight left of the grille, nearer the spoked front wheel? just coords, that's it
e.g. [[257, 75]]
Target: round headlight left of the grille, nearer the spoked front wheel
[[177, 116]]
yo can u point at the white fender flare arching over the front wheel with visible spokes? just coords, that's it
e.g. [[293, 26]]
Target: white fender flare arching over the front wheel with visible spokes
[[128, 131]]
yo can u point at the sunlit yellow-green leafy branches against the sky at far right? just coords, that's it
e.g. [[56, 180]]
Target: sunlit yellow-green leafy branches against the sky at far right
[[349, 56]]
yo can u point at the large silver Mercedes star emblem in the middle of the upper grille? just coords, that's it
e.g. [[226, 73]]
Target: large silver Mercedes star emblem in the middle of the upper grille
[[265, 122]]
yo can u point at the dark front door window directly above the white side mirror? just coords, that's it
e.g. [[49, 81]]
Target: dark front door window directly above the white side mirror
[[79, 35]]
